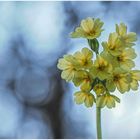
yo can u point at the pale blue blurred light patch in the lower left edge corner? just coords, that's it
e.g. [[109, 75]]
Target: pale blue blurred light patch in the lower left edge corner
[[11, 112]]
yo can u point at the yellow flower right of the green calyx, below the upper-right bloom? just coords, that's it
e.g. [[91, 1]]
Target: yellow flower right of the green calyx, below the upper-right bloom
[[114, 45]]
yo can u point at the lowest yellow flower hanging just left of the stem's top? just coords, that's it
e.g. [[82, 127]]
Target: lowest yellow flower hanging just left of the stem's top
[[84, 97]]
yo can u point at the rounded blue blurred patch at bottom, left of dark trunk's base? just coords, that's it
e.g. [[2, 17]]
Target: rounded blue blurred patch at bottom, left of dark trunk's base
[[34, 126]]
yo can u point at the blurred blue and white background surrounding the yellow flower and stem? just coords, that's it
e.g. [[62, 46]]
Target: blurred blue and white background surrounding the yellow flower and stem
[[34, 101]]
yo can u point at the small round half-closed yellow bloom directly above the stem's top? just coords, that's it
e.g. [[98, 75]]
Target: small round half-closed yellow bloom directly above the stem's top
[[99, 89]]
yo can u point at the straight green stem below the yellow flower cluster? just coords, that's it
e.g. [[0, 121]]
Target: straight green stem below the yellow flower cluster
[[98, 123]]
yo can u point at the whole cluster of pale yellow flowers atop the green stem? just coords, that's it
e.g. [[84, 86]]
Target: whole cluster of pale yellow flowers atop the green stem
[[112, 69]]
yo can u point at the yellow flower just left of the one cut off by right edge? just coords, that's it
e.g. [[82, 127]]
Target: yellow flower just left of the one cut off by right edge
[[119, 79]]
